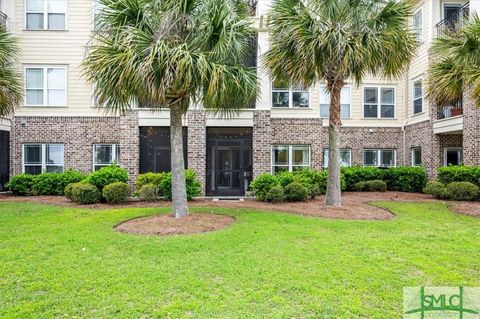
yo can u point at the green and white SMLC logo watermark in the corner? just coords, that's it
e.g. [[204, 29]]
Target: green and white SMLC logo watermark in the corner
[[441, 303]]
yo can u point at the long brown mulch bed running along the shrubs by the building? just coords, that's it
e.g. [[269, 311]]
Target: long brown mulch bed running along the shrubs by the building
[[355, 205]]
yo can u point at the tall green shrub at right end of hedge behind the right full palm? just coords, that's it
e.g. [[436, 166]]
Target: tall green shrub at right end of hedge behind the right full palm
[[405, 179]]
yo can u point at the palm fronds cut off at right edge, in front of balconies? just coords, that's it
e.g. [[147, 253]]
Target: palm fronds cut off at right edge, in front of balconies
[[456, 64]]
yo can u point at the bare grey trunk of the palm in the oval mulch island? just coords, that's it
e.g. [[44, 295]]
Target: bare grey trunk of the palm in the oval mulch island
[[179, 191]]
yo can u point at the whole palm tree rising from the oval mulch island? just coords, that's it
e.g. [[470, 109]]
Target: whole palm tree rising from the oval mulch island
[[172, 54]]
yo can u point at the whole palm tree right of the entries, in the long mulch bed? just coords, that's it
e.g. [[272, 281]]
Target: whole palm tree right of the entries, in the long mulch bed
[[333, 41]]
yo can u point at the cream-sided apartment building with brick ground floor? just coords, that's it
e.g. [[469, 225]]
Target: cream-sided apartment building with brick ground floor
[[385, 123]]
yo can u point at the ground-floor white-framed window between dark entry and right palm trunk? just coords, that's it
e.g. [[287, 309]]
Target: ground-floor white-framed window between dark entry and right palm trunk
[[290, 157]]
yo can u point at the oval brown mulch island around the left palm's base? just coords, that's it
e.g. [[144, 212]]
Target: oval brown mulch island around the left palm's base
[[166, 225]]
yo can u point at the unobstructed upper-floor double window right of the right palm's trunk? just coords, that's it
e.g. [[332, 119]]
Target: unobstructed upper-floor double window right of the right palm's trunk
[[379, 102]]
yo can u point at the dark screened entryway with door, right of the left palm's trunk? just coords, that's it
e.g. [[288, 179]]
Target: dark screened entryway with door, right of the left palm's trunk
[[229, 166]]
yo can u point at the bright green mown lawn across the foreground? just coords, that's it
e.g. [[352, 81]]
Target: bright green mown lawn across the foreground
[[68, 263]]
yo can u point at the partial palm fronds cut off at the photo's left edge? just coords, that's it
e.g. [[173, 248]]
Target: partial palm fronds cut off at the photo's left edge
[[11, 87]]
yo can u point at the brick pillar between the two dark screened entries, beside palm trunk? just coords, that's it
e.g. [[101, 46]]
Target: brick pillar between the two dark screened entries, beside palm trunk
[[197, 144]]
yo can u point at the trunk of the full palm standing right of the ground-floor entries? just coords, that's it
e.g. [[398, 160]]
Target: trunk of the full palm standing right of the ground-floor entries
[[334, 194]]
